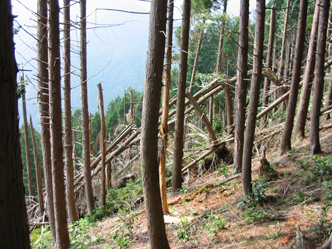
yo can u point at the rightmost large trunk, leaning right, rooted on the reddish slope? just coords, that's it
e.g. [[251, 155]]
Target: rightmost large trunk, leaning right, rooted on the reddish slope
[[319, 78]]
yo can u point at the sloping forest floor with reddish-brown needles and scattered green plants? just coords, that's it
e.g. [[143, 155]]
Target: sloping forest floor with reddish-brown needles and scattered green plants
[[210, 213]]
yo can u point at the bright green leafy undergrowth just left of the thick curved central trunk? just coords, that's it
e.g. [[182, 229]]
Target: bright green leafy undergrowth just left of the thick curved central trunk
[[122, 200]]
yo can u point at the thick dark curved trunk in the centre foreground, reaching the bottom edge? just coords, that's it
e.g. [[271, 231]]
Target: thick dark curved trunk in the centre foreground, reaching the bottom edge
[[149, 136]]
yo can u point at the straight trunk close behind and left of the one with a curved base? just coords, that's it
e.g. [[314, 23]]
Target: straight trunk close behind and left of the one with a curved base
[[241, 85]]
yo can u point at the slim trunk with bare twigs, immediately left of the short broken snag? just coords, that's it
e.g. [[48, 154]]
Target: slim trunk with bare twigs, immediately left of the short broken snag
[[85, 113]]
